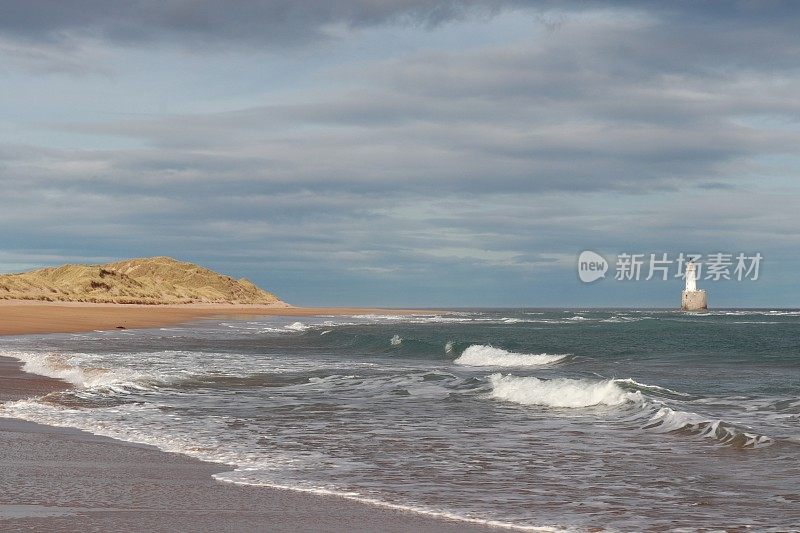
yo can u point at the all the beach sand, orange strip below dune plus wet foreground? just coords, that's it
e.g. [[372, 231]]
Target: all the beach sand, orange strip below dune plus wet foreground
[[61, 479]]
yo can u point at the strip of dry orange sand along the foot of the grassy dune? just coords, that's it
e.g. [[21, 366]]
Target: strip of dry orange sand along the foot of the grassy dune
[[21, 317]]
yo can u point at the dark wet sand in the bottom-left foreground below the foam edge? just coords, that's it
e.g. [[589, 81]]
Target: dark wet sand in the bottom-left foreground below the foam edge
[[57, 479]]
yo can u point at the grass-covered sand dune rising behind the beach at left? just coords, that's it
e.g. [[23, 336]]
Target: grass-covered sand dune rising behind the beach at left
[[154, 280]]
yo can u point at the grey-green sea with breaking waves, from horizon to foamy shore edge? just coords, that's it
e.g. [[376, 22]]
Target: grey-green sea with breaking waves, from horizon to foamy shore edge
[[626, 420]]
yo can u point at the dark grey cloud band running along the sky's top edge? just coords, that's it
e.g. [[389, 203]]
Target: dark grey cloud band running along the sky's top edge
[[208, 23]]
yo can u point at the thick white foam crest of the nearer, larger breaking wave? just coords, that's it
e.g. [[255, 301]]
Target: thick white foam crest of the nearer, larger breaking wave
[[561, 392]]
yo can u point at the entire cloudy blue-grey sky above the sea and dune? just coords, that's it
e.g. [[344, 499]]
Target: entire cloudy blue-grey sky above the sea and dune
[[417, 153]]
